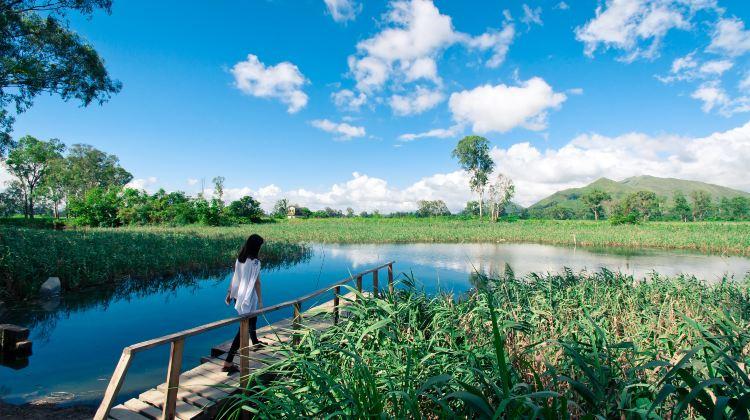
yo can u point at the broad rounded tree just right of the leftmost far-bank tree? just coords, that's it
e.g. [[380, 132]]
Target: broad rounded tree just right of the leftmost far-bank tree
[[88, 167]]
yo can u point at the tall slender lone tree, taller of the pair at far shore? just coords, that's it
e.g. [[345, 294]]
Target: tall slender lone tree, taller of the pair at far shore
[[473, 155]]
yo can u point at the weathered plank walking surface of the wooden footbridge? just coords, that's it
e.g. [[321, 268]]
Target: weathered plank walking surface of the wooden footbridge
[[202, 388]]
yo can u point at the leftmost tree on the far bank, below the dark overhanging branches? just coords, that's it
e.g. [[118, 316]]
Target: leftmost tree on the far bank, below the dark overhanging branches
[[29, 161]]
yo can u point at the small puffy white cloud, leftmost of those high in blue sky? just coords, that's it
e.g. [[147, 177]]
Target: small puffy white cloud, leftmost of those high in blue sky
[[283, 81]]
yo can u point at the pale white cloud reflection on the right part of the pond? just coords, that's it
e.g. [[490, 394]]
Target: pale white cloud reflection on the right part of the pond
[[528, 258]]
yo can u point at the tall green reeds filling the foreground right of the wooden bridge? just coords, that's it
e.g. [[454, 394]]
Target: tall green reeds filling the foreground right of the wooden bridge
[[560, 346]]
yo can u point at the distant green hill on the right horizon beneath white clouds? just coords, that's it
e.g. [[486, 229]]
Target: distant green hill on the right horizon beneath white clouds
[[665, 187]]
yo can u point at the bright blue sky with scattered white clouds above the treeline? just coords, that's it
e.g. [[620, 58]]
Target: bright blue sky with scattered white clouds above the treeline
[[565, 91]]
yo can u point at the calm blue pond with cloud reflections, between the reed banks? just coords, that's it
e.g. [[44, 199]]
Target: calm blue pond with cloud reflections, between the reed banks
[[77, 340]]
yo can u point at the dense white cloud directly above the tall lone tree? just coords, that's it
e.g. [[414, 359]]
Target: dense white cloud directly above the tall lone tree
[[501, 108]]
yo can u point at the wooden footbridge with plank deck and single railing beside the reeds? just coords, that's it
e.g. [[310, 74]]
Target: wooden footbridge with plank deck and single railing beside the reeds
[[197, 393]]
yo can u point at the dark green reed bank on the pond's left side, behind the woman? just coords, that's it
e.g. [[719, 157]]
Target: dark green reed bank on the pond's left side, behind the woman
[[82, 258]]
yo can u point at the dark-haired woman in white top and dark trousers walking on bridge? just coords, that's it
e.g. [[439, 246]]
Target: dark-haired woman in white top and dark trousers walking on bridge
[[245, 290]]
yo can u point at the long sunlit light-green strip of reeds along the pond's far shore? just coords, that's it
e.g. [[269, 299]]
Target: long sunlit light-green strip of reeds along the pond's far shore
[[714, 237]]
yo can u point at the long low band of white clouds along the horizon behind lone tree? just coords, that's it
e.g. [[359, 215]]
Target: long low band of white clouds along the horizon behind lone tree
[[719, 158]]
